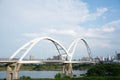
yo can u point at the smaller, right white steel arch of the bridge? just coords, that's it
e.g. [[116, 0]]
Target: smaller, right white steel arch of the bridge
[[73, 46]]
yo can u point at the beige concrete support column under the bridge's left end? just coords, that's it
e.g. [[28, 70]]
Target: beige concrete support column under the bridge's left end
[[13, 73]]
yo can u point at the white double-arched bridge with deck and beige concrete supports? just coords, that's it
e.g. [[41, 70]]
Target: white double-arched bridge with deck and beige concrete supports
[[66, 56]]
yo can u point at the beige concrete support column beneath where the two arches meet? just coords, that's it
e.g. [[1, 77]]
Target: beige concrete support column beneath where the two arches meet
[[67, 69]]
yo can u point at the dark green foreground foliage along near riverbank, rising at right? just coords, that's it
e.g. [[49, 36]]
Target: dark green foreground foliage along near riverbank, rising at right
[[101, 71]]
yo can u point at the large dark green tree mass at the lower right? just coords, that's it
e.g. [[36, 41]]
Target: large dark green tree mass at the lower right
[[104, 70]]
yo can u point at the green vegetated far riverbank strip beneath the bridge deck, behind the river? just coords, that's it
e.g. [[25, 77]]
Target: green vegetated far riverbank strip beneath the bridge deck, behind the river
[[39, 67]]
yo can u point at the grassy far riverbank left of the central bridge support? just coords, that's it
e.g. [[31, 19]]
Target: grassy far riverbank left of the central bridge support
[[35, 67]]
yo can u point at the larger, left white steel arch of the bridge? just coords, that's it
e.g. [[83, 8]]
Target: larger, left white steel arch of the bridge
[[29, 45]]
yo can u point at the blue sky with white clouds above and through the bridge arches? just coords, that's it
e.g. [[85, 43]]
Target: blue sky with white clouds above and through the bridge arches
[[96, 21]]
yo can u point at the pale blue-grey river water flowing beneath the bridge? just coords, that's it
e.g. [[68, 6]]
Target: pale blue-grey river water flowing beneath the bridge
[[39, 74]]
